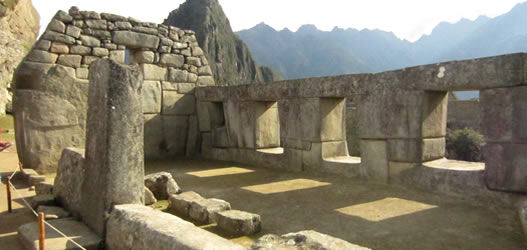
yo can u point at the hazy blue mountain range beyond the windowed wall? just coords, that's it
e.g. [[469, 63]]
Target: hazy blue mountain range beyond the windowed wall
[[310, 52]]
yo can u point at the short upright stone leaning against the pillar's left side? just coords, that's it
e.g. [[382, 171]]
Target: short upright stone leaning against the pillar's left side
[[68, 181]]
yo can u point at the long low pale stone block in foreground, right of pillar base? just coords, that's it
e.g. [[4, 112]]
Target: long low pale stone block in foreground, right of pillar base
[[140, 227]]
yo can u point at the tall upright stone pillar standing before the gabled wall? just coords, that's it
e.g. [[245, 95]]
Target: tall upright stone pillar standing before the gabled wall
[[114, 142]]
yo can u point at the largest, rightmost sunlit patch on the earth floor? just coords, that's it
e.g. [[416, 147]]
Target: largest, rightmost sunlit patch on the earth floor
[[385, 209]]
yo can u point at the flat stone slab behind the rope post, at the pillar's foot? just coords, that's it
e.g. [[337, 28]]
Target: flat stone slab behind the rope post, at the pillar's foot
[[80, 233]]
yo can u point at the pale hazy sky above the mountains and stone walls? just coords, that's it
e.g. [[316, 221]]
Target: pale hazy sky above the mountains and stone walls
[[408, 19]]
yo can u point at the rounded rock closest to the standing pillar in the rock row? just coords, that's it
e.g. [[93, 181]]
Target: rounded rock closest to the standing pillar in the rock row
[[162, 185]]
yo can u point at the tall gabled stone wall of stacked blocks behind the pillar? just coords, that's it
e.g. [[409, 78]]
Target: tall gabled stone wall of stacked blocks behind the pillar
[[50, 99]]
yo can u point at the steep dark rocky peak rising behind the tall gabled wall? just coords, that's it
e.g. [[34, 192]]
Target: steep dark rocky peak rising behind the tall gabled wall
[[229, 58]]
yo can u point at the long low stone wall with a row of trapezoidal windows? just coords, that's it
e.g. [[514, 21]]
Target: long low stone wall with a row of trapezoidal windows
[[402, 117]]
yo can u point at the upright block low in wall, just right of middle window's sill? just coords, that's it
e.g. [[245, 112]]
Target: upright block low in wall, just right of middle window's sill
[[374, 159]]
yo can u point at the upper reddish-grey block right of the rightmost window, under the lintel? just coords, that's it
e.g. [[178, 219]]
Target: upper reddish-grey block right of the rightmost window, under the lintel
[[504, 114]]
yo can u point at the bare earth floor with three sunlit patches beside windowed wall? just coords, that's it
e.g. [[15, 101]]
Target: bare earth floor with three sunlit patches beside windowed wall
[[370, 215]]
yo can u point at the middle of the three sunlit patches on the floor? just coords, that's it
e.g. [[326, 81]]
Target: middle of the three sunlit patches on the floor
[[285, 186]]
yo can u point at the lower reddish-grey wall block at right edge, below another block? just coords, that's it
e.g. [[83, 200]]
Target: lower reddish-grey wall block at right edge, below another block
[[506, 166]]
